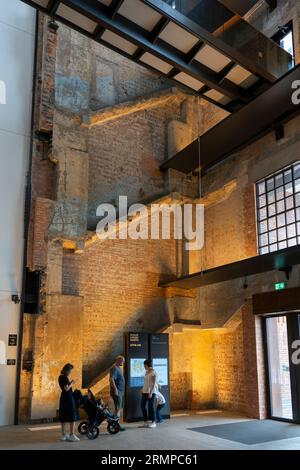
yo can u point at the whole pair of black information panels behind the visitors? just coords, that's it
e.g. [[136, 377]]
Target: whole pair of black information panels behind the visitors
[[138, 347]]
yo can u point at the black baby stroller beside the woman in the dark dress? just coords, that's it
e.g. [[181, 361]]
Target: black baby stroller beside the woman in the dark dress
[[97, 413]]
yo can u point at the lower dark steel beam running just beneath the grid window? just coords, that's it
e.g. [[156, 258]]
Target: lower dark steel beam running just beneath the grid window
[[280, 260]]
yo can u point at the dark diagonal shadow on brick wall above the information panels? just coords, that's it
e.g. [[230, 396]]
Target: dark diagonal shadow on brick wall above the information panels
[[152, 318]]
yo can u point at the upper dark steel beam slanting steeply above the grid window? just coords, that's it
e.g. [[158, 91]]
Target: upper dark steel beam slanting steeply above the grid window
[[254, 120]]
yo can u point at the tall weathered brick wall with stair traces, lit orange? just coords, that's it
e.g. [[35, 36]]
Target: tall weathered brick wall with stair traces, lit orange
[[94, 293]]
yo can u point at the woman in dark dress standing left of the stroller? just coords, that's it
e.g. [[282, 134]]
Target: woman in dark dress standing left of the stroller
[[67, 407]]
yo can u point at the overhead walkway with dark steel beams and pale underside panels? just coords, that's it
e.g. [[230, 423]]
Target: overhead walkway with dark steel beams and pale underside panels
[[201, 44]]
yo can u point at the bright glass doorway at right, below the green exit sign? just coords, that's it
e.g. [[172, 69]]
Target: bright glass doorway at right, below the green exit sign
[[283, 372]]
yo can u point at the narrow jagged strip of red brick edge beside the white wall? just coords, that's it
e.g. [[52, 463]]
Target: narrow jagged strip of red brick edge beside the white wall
[[42, 170]]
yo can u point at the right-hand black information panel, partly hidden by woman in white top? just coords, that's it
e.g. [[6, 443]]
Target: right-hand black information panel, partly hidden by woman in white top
[[159, 348]]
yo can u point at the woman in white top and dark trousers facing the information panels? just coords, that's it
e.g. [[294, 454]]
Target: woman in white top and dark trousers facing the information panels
[[149, 390]]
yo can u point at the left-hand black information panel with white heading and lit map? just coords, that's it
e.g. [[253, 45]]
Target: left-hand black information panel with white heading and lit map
[[137, 350]]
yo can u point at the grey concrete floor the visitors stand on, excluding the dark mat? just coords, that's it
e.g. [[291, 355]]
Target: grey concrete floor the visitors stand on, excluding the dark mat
[[173, 434]]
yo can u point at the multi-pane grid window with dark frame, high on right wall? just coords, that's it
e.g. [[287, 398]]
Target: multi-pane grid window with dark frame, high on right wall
[[278, 210]]
